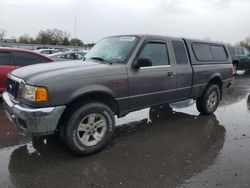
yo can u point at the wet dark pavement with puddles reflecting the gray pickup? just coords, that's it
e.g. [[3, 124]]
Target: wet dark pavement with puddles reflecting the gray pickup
[[157, 147]]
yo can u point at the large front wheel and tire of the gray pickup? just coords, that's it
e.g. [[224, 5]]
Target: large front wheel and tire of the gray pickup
[[89, 129]]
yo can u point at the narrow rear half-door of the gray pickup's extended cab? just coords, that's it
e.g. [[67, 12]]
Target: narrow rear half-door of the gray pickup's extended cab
[[183, 70]]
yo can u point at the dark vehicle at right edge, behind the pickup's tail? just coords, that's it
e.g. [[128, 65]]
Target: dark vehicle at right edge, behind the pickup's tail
[[240, 57]]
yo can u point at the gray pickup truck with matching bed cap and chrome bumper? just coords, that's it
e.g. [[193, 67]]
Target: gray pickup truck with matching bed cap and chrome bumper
[[120, 74]]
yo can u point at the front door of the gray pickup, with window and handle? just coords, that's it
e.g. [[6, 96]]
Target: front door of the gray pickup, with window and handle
[[154, 84]]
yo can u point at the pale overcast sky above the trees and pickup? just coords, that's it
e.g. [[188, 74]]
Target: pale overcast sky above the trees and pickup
[[218, 20]]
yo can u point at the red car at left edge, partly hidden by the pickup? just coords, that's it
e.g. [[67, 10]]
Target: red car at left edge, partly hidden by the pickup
[[12, 58]]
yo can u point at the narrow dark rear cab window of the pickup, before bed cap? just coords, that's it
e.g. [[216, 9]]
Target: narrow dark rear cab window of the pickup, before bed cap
[[180, 52]]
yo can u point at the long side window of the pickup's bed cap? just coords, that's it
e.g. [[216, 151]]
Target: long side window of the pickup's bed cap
[[209, 52]]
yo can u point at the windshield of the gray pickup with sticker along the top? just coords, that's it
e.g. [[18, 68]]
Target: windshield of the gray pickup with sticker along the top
[[113, 49]]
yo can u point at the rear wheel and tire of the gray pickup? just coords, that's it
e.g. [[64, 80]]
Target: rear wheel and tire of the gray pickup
[[209, 101]]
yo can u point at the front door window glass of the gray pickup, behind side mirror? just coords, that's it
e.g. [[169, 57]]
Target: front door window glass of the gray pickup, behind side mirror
[[157, 52]]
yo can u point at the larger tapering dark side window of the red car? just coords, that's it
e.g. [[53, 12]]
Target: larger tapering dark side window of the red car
[[25, 58]]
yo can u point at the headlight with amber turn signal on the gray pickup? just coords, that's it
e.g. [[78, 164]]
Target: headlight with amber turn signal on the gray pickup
[[36, 94]]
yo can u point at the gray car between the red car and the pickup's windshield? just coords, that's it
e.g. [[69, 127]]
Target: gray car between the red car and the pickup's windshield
[[69, 55]]
